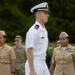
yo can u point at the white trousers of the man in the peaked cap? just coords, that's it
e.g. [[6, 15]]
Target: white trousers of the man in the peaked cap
[[39, 66]]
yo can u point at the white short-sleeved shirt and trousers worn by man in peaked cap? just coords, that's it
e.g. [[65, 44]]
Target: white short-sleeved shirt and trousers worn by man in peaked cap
[[37, 38]]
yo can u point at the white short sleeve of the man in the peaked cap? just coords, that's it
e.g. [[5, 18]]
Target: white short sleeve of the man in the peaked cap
[[31, 38]]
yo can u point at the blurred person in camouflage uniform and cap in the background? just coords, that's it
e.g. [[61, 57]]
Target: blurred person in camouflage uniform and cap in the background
[[20, 56]]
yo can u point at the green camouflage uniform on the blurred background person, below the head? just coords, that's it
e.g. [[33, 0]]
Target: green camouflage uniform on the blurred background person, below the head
[[20, 60]]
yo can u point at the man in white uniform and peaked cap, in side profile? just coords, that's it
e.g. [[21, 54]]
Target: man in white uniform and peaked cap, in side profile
[[37, 42]]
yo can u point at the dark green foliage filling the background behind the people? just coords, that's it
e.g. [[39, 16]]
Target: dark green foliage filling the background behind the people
[[15, 17]]
